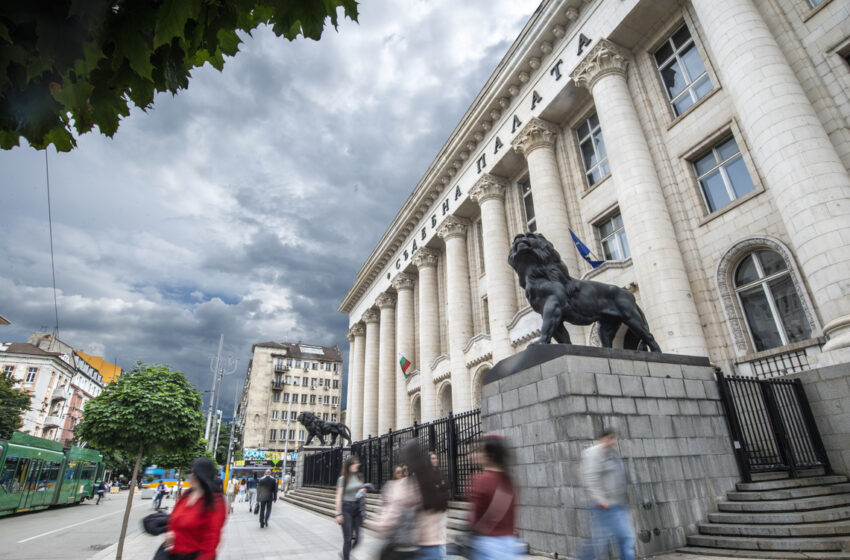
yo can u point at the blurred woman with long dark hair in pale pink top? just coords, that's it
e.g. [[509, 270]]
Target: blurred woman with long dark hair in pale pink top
[[414, 511]]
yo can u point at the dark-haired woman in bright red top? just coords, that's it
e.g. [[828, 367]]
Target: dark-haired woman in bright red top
[[194, 527]]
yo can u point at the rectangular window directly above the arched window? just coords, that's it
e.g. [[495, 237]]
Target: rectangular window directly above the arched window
[[723, 175]]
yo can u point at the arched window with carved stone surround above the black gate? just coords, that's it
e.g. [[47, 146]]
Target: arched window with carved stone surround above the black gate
[[769, 300]]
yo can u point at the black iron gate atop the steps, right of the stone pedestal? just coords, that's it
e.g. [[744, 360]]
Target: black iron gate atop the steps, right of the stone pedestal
[[772, 425]]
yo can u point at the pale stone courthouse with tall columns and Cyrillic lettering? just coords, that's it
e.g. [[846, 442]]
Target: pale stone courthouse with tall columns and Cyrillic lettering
[[699, 147]]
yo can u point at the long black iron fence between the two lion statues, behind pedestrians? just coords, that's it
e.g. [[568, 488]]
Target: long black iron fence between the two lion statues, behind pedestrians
[[452, 438]]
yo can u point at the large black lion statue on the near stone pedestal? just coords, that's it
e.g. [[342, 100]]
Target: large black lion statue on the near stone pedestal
[[557, 297]]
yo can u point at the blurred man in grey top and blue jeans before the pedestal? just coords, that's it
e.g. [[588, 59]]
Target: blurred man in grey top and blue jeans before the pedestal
[[604, 476]]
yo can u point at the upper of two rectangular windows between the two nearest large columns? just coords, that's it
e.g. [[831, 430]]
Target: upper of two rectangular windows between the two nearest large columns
[[682, 70]]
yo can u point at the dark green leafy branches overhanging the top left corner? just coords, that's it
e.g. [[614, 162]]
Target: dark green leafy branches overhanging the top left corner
[[69, 65]]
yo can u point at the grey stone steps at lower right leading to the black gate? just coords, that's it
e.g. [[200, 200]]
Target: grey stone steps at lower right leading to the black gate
[[782, 518]]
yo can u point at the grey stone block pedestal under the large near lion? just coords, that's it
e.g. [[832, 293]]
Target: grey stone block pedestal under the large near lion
[[552, 401]]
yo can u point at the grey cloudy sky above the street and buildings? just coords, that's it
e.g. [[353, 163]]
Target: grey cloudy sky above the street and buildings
[[246, 204]]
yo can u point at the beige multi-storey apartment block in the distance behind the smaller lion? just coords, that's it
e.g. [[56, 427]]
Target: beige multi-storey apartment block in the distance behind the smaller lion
[[285, 379]]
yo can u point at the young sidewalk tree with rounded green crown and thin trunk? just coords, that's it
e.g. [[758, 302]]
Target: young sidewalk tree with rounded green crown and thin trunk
[[150, 409]]
